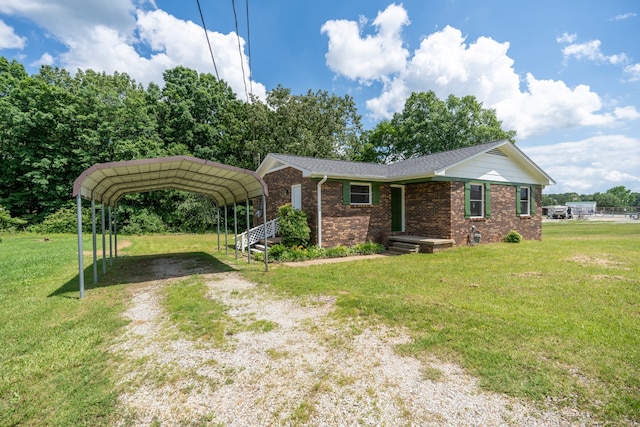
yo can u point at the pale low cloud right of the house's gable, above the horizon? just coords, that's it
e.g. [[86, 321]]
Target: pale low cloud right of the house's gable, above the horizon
[[590, 165]]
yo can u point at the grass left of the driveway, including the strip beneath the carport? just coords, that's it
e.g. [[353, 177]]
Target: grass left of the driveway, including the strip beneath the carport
[[55, 366]]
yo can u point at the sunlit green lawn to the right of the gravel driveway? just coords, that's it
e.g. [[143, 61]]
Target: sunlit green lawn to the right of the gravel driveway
[[554, 320]]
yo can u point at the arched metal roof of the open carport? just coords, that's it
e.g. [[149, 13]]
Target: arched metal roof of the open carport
[[106, 183]]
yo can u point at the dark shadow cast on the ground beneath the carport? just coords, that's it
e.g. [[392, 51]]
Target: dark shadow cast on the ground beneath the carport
[[142, 269]]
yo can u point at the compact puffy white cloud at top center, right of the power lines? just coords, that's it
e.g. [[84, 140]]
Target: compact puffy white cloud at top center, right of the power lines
[[371, 57]]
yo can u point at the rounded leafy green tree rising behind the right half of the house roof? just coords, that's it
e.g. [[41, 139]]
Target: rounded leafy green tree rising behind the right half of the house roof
[[429, 125]]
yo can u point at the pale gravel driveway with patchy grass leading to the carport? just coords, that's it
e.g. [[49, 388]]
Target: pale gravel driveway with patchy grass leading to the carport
[[311, 369]]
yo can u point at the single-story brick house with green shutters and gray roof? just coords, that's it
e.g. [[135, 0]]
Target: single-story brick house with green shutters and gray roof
[[492, 187]]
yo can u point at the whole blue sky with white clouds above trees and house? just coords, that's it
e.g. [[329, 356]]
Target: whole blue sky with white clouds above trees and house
[[564, 74]]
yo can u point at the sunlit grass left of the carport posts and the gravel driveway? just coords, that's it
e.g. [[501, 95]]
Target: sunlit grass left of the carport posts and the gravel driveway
[[53, 366]]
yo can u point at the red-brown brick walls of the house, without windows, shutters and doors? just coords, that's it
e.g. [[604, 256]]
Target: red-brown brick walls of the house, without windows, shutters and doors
[[433, 209]]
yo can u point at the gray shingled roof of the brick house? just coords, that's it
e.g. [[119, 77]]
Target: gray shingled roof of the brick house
[[425, 165]]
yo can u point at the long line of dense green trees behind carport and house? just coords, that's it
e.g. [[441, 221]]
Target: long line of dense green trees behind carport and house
[[55, 124]]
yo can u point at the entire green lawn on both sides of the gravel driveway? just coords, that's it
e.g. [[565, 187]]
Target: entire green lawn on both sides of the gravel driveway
[[553, 320]]
